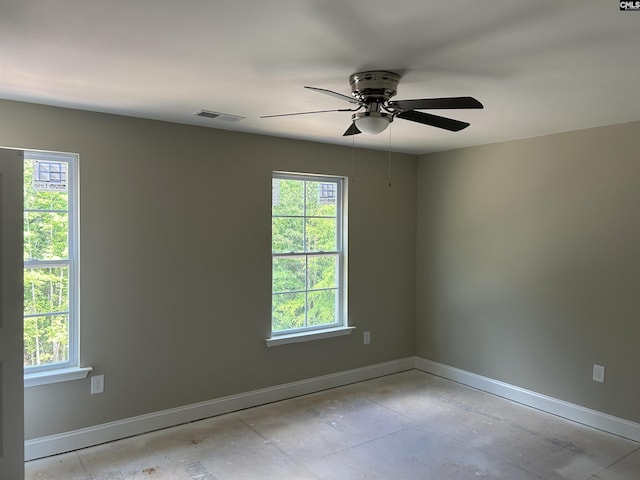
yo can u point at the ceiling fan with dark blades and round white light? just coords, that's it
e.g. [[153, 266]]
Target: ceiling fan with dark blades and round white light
[[372, 91]]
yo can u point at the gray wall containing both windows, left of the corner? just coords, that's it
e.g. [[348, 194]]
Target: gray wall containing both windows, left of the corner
[[175, 262]]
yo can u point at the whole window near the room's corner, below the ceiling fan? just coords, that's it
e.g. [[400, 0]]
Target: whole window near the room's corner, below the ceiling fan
[[308, 240]]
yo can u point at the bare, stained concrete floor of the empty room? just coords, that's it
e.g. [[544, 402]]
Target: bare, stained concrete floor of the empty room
[[410, 425]]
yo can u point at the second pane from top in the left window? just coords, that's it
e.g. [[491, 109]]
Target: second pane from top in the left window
[[46, 236]]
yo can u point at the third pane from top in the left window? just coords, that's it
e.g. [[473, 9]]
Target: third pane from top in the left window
[[46, 290]]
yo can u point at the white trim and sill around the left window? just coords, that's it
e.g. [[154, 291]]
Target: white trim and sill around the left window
[[71, 370]]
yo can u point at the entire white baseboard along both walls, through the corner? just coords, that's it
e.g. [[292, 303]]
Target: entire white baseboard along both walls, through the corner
[[107, 432]]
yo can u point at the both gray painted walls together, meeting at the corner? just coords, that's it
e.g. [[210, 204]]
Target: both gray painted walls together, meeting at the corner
[[528, 269]]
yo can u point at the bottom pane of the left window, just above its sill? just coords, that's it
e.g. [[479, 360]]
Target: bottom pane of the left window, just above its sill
[[46, 340]]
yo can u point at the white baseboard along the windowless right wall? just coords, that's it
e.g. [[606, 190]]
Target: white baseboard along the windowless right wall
[[586, 416]]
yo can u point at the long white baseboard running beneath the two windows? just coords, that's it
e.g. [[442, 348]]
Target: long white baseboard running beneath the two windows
[[107, 432]]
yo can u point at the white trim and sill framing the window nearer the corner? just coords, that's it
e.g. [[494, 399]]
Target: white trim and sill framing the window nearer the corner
[[334, 330]]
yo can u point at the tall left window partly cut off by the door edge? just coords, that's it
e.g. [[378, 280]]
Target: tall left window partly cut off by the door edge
[[50, 262]]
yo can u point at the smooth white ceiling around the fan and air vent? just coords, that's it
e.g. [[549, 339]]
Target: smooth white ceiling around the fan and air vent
[[538, 66]]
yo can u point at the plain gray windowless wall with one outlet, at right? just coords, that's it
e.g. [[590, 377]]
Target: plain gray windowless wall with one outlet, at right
[[528, 264]]
